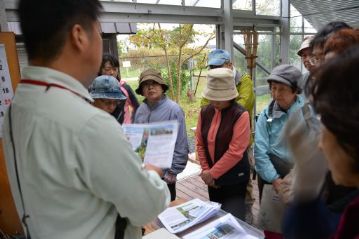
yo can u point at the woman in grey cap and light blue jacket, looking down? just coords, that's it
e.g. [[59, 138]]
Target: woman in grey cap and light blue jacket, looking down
[[272, 161]]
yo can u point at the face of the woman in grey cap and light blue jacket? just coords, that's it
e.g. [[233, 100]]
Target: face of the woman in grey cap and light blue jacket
[[283, 94]]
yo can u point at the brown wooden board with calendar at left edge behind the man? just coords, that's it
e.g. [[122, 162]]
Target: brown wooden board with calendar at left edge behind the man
[[9, 78]]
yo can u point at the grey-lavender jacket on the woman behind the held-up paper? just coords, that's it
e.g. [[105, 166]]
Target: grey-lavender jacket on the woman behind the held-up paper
[[165, 110]]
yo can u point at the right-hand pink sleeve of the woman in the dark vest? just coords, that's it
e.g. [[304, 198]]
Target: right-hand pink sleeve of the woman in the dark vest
[[237, 146]]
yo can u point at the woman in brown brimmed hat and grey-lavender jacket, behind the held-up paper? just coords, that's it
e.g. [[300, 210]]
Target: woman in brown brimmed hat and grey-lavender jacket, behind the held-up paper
[[156, 108]]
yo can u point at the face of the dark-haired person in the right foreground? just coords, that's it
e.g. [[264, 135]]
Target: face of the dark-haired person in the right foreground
[[340, 163]]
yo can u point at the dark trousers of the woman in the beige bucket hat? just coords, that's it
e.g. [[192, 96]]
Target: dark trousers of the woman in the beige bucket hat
[[232, 198]]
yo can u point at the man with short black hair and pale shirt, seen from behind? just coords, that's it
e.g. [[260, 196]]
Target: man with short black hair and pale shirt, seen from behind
[[71, 169]]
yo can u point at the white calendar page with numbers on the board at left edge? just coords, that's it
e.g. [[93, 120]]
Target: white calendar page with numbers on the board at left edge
[[6, 91]]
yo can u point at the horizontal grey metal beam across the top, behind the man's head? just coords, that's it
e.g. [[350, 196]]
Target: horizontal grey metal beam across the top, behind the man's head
[[125, 12]]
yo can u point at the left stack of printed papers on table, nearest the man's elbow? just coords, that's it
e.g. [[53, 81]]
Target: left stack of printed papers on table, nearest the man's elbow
[[181, 217]]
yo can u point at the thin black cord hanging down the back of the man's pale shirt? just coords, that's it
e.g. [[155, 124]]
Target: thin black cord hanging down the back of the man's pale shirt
[[25, 216]]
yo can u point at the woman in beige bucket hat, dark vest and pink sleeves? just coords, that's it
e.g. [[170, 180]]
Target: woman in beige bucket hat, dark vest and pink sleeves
[[222, 137]]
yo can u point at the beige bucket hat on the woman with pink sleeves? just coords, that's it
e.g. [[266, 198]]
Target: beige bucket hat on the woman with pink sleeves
[[220, 85]]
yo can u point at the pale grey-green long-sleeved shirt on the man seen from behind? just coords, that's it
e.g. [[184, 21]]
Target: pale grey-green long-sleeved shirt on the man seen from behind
[[75, 166]]
